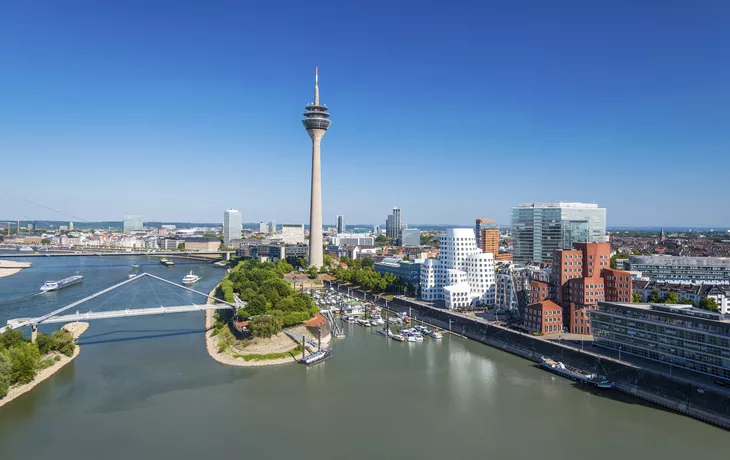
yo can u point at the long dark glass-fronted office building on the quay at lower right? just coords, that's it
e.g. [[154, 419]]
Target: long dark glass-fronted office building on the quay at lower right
[[678, 335]]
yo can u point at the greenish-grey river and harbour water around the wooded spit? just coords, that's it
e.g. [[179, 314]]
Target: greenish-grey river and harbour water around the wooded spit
[[145, 387]]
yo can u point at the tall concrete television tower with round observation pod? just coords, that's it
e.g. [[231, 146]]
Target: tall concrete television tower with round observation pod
[[316, 122]]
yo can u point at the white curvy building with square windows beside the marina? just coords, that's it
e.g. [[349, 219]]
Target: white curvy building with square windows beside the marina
[[462, 275]]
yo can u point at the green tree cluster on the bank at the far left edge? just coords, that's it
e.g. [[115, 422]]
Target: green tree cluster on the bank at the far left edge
[[20, 360]]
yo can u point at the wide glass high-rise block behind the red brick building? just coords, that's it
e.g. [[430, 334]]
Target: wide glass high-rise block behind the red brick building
[[538, 229]]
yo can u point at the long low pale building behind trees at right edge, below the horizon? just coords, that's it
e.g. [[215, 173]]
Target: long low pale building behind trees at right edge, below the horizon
[[681, 269]]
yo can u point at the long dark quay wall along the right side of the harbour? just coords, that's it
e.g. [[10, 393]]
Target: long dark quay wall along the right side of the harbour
[[696, 401]]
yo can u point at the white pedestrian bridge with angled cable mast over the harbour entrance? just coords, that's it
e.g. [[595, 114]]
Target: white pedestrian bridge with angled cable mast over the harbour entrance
[[60, 315]]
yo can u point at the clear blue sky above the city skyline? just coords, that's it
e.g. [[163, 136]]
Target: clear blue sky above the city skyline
[[176, 110]]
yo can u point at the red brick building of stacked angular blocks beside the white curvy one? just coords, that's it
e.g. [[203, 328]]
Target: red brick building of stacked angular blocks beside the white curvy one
[[582, 277]]
